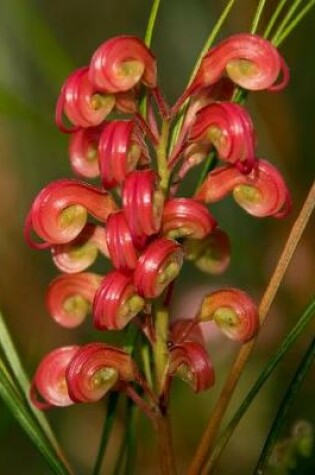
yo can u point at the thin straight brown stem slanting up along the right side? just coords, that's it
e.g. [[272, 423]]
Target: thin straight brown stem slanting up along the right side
[[213, 426]]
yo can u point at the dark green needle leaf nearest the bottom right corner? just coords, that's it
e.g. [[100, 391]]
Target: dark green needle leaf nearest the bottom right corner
[[285, 405]]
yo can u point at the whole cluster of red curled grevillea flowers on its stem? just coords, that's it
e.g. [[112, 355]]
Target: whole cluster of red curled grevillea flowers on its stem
[[144, 228]]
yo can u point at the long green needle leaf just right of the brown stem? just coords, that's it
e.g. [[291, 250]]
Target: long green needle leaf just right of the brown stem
[[285, 346]]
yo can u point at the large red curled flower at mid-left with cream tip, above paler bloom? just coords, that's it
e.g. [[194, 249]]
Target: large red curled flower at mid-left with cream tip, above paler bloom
[[60, 210]]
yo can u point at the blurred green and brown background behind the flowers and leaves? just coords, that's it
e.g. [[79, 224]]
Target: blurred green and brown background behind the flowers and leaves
[[40, 43]]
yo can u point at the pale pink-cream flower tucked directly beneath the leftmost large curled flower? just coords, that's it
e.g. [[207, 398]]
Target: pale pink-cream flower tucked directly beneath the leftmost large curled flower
[[79, 254]]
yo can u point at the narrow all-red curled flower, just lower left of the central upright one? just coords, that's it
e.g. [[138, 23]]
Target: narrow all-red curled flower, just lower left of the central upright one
[[119, 241]]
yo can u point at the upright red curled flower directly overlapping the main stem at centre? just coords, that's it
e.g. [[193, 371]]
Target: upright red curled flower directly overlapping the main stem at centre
[[143, 204]]
